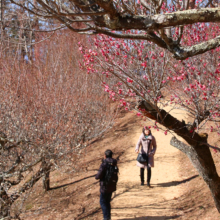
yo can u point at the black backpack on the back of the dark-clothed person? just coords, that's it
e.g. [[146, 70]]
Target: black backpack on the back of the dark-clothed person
[[111, 176]]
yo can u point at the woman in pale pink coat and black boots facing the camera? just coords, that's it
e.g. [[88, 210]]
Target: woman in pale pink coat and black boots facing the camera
[[146, 145]]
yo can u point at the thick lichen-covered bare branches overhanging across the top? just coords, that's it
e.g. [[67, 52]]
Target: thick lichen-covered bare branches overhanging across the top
[[154, 21]]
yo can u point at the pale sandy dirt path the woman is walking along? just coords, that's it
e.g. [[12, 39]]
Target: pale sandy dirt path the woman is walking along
[[133, 201]]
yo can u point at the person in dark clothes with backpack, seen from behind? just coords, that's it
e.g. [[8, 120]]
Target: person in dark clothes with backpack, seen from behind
[[108, 176]]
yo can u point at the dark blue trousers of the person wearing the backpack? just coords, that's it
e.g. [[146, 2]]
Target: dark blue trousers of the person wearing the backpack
[[105, 199]]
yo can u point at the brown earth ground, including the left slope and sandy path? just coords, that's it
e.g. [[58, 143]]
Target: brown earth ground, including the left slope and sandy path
[[178, 192]]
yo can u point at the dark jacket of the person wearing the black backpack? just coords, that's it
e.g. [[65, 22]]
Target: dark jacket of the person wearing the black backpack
[[101, 174]]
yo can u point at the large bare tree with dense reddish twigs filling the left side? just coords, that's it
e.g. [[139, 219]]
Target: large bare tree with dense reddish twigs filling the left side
[[49, 112]]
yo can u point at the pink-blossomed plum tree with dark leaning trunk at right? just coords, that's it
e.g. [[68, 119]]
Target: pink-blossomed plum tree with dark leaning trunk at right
[[146, 78]]
